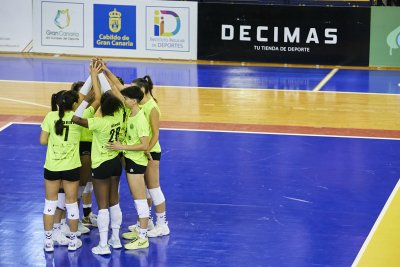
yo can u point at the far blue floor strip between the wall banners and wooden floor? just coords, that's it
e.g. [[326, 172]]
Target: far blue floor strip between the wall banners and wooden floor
[[202, 75]]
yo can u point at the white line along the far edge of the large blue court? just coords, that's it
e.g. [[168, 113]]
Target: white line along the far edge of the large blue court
[[243, 132]]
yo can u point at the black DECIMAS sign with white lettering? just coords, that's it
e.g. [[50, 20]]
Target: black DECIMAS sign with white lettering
[[284, 34]]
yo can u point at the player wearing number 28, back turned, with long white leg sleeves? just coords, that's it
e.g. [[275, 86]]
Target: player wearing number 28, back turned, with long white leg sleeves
[[105, 165]]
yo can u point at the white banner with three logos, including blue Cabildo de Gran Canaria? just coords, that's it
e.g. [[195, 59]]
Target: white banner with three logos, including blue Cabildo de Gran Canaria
[[123, 28]]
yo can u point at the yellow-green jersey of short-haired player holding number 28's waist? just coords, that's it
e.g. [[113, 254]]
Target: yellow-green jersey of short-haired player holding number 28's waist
[[137, 127]]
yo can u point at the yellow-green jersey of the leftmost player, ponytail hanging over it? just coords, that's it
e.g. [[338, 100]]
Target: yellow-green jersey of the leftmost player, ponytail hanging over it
[[62, 150]]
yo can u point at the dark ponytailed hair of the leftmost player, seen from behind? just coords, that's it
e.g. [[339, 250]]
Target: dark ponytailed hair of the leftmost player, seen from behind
[[62, 101]]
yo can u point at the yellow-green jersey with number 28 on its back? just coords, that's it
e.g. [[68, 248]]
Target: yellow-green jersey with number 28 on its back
[[105, 130]]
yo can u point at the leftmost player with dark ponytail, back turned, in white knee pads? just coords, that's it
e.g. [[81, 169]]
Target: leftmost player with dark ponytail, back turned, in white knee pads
[[61, 165]]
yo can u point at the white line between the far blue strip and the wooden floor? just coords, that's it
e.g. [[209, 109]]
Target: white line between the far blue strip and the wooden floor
[[227, 88]]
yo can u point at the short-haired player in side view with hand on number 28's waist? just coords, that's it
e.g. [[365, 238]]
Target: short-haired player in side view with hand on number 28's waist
[[134, 147]]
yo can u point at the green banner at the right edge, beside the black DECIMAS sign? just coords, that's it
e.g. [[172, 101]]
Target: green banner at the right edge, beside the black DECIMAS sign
[[385, 37]]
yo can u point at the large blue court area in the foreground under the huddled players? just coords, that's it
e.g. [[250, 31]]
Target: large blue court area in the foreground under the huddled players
[[233, 199]]
